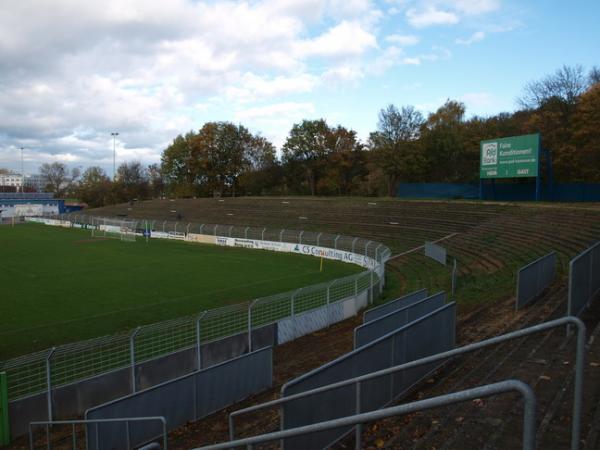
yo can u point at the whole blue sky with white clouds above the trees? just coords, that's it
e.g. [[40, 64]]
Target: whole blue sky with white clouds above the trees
[[72, 71]]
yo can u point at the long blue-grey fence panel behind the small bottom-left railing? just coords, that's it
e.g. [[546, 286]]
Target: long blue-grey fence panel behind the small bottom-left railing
[[179, 401]]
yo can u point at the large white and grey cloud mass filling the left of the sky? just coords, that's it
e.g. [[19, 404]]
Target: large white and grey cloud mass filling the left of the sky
[[71, 72]]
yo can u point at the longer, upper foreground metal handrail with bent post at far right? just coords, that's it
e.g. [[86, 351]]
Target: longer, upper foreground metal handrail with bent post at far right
[[579, 368]]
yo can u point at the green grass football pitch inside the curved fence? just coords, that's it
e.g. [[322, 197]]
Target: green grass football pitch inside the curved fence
[[61, 285]]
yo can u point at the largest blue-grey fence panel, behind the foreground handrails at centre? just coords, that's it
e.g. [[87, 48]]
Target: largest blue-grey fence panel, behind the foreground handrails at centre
[[431, 334]]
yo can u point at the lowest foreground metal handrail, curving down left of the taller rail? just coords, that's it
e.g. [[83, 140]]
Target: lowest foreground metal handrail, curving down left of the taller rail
[[442, 400]]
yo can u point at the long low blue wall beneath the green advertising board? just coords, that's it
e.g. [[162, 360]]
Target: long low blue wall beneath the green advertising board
[[501, 191]]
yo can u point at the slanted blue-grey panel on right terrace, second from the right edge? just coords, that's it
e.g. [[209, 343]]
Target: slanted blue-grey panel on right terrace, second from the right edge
[[534, 278]]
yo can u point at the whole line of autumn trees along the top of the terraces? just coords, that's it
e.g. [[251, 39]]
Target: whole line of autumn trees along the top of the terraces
[[318, 158]]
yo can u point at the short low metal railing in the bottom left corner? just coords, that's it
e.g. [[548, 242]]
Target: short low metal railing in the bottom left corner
[[95, 422]]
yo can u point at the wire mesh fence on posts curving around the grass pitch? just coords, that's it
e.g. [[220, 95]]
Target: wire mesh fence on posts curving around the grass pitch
[[45, 370]]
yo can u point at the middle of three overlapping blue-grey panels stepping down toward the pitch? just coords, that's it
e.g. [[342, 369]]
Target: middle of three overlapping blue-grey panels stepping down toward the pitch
[[375, 329]]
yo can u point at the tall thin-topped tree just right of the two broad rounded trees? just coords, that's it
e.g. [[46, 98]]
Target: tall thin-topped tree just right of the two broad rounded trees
[[395, 147]]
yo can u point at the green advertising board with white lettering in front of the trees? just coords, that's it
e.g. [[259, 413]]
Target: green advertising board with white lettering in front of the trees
[[510, 157]]
